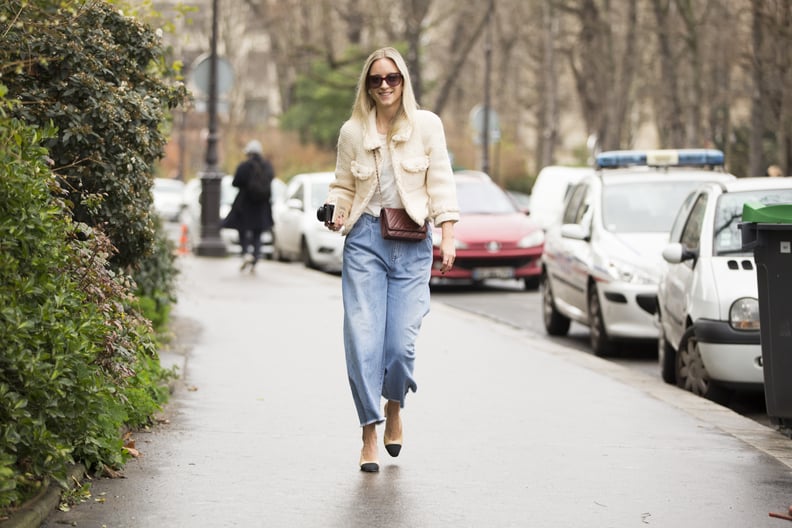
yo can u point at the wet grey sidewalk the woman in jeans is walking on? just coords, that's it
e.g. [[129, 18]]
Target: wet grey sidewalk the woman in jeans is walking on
[[504, 430]]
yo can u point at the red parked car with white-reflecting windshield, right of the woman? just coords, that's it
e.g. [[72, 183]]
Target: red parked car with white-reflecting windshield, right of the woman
[[494, 239]]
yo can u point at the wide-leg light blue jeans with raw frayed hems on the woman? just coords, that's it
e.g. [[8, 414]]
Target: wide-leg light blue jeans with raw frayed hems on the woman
[[385, 287]]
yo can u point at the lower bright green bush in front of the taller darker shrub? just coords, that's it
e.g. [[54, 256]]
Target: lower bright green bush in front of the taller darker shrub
[[79, 361]]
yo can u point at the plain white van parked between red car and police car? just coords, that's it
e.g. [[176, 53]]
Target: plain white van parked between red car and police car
[[550, 190]]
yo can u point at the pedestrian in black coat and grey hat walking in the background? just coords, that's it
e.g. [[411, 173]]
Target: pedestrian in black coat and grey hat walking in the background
[[249, 215]]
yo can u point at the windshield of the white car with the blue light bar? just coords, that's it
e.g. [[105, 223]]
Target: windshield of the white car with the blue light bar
[[643, 207]]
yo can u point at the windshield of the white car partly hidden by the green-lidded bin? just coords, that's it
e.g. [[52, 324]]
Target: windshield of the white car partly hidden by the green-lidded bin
[[728, 215]]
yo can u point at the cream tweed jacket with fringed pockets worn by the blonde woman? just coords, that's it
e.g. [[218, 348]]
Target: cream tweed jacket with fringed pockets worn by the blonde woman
[[421, 165]]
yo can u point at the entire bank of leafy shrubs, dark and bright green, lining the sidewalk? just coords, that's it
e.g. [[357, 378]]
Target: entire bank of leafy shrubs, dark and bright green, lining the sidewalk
[[79, 360]]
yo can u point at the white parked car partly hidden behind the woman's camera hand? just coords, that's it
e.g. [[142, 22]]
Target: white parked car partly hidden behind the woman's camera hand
[[298, 234]]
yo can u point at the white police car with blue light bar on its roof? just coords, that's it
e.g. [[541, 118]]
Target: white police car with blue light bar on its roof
[[602, 261]]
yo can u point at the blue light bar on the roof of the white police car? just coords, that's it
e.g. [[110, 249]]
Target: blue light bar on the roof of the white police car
[[659, 158]]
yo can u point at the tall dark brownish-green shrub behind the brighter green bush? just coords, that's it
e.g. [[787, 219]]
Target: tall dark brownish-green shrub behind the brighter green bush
[[99, 77]]
